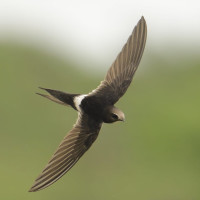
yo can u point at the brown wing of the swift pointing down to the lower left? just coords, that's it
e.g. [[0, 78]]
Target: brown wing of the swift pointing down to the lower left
[[73, 146]]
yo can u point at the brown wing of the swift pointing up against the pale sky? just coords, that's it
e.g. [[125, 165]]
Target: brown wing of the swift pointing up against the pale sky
[[120, 74]]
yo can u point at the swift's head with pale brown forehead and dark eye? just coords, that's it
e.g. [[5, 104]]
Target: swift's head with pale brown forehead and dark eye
[[113, 114]]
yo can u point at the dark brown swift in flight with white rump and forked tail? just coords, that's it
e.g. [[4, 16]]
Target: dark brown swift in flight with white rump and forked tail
[[94, 108]]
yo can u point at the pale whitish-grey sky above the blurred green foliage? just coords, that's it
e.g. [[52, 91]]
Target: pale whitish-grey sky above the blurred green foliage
[[93, 28]]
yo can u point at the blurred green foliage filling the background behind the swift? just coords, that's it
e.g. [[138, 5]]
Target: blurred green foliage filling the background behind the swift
[[153, 155]]
